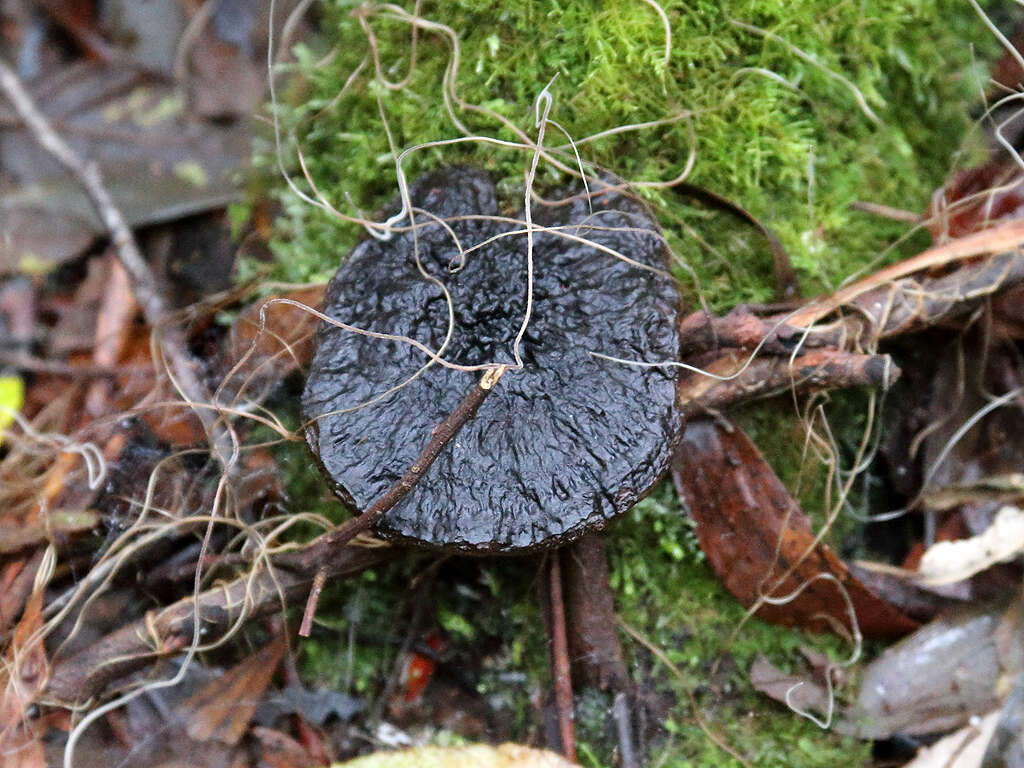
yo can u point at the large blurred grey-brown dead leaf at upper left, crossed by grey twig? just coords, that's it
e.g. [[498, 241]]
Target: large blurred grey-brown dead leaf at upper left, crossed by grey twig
[[159, 163]]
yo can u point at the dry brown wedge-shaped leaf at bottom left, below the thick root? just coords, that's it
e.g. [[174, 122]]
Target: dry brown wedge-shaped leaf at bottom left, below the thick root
[[223, 709]]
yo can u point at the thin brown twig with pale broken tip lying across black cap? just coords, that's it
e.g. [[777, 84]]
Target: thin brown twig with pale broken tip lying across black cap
[[442, 436]]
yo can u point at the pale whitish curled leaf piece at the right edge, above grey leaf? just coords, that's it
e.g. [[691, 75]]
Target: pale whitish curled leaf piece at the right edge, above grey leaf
[[947, 563]]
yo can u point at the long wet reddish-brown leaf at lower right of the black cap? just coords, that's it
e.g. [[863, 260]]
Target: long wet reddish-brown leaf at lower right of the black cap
[[753, 534]]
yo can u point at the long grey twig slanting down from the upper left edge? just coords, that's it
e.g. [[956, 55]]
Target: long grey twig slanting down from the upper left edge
[[145, 286]]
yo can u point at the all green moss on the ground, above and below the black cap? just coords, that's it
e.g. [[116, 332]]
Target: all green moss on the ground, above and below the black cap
[[783, 137]]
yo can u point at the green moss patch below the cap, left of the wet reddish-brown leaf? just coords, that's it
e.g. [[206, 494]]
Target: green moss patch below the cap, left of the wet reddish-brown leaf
[[667, 591]]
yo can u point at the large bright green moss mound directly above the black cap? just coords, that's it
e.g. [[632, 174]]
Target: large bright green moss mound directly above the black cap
[[782, 137]]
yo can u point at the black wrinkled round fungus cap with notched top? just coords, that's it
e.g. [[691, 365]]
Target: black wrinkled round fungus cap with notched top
[[560, 447]]
